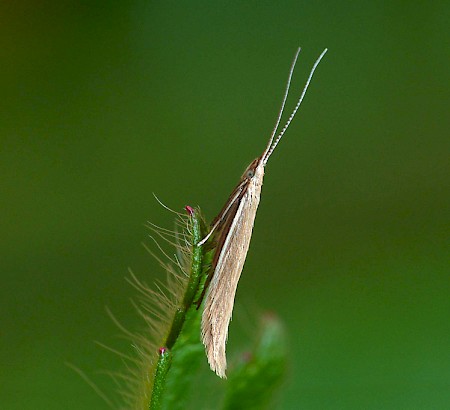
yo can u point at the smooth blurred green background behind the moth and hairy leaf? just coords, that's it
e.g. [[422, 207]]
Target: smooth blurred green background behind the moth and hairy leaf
[[103, 103]]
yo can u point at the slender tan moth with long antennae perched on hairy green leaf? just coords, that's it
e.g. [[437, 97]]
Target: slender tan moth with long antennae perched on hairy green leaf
[[234, 225]]
